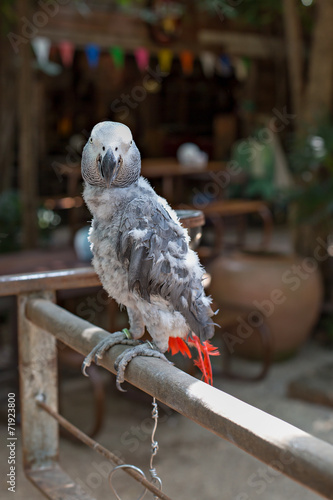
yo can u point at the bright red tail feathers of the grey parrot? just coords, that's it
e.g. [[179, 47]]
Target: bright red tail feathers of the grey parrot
[[205, 350]]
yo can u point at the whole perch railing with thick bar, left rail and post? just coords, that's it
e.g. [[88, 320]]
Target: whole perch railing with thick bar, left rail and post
[[297, 454]]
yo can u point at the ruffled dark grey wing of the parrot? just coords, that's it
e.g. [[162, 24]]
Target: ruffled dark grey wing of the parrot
[[154, 250]]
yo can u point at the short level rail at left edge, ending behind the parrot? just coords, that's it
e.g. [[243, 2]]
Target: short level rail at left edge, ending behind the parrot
[[65, 279]]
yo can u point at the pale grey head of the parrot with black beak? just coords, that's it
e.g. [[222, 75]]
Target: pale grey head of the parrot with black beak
[[110, 157]]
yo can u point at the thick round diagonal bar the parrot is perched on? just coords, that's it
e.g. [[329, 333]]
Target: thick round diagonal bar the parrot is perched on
[[284, 447]]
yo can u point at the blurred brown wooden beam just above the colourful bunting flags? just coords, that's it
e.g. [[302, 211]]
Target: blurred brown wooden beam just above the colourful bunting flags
[[113, 28]]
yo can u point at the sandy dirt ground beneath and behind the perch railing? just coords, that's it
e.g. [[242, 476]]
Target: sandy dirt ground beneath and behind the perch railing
[[192, 462]]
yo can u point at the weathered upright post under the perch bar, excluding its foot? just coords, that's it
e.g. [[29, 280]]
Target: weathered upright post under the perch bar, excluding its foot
[[38, 375]]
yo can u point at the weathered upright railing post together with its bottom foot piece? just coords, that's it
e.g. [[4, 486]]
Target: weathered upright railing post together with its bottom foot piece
[[40, 434]]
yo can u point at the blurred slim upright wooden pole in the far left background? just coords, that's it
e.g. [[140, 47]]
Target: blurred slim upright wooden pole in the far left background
[[28, 181]]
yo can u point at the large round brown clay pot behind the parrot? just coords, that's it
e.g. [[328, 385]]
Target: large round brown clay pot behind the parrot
[[285, 291]]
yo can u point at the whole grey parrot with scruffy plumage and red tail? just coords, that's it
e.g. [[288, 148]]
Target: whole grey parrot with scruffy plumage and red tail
[[140, 252]]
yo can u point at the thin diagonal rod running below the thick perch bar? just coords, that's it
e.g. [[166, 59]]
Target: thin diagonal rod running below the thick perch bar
[[101, 450]]
